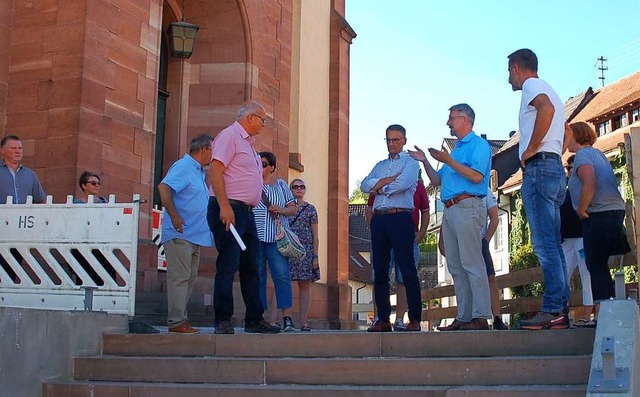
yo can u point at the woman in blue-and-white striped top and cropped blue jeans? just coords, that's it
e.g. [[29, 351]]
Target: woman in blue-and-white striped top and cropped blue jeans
[[277, 203]]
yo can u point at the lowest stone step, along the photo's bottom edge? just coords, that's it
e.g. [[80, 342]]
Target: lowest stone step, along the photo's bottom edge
[[127, 389]]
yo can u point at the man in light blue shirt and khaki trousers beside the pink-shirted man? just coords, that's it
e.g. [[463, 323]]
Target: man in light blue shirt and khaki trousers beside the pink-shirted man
[[185, 197]]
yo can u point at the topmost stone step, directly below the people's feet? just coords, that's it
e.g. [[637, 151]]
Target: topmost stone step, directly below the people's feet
[[356, 344]]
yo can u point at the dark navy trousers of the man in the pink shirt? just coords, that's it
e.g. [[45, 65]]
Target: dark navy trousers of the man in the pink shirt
[[231, 260]]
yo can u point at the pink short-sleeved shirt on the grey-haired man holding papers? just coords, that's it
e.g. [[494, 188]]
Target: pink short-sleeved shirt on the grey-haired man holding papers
[[233, 147]]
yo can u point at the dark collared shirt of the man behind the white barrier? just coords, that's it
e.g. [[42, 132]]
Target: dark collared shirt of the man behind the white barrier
[[23, 183]]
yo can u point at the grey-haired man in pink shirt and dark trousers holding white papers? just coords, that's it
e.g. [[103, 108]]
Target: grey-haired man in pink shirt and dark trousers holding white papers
[[236, 187]]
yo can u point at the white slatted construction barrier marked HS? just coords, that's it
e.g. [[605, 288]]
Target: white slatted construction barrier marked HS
[[69, 256]]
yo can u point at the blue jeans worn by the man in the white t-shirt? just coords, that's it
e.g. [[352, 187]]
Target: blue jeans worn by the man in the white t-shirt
[[543, 191]]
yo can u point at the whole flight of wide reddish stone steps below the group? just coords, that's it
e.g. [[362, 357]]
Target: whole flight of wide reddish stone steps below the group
[[335, 363]]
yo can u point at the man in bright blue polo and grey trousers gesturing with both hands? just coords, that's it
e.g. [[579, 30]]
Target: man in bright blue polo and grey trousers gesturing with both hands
[[464, 178]]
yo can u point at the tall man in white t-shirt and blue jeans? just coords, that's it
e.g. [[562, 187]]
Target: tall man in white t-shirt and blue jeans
[[542, 132]]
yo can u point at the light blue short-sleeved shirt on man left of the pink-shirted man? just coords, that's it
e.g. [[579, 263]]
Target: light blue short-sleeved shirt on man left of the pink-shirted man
[[191, 198]]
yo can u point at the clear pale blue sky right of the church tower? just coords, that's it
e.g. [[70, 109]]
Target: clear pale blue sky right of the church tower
[[413, 59]]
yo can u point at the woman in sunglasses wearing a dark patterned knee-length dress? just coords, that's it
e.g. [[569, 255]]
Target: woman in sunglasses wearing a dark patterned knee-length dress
[[305, 225]]
